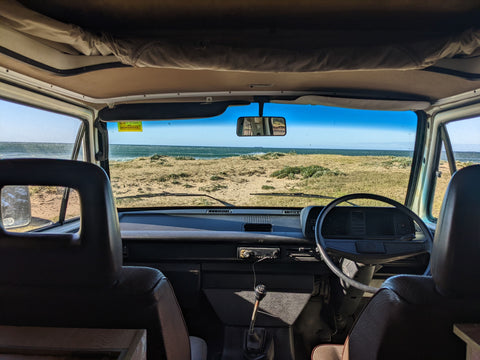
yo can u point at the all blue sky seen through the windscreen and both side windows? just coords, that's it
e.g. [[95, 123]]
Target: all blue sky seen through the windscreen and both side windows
[[307, 127]]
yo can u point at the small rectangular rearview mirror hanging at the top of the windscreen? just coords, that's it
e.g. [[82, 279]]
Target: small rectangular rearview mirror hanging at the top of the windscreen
[[261, 126]]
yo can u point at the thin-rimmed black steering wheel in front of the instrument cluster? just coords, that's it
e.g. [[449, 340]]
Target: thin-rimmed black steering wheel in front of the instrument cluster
[[369, 251]]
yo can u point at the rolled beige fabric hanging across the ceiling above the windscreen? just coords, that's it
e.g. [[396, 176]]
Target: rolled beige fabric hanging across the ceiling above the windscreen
[[285, 51]]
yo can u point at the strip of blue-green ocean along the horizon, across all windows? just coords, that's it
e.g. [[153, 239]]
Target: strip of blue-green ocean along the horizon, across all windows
[[129, 152]]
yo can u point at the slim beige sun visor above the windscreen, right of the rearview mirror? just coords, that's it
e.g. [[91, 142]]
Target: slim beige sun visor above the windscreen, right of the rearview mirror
[[361, 104]]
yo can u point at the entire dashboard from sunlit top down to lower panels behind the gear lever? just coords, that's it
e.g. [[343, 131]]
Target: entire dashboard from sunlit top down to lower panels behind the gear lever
[[213, 256]]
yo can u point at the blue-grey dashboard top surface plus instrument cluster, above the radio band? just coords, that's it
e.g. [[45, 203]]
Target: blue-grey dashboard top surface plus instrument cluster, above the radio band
[[269, 224]]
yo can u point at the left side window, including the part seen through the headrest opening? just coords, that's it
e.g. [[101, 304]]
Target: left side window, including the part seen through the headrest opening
[[27, 132]]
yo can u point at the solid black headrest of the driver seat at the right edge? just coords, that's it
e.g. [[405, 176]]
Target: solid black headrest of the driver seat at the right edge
[[456, 248]]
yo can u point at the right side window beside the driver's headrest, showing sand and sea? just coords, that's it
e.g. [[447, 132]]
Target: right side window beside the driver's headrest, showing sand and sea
[[460, 148]]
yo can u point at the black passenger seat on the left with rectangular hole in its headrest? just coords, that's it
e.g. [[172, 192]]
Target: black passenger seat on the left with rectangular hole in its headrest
[[78, 280]]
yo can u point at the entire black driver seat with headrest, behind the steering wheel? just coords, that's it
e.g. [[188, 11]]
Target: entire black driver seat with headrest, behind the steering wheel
[[412, 317]]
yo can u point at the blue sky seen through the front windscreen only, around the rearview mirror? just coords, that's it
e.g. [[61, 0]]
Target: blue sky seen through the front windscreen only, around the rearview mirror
[[307, 126]]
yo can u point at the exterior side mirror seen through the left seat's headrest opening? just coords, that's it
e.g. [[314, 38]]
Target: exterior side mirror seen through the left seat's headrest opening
[[15, 209]]
